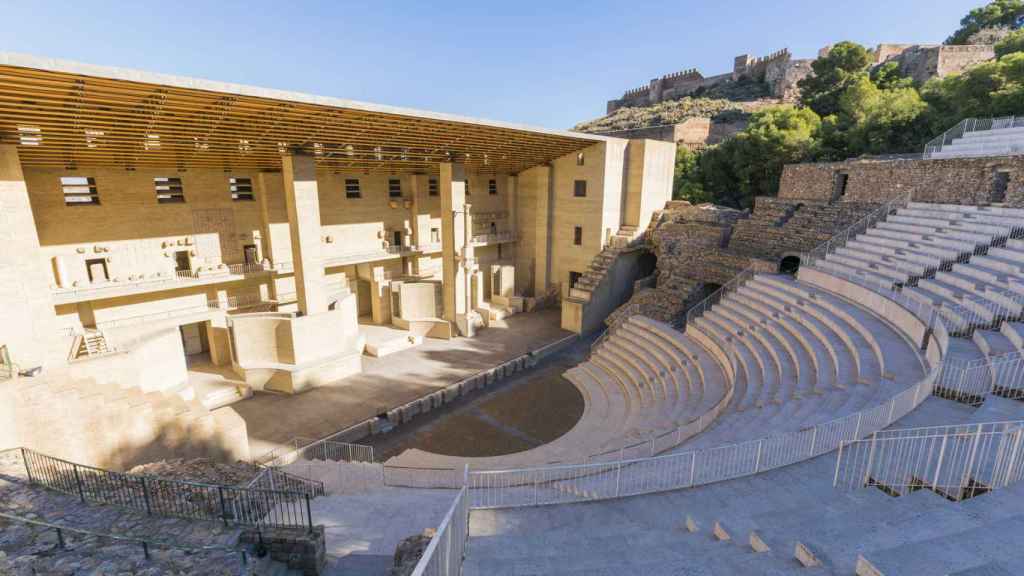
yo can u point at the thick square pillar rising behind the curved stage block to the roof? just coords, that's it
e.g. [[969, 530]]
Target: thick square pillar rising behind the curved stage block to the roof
[[303, 200]]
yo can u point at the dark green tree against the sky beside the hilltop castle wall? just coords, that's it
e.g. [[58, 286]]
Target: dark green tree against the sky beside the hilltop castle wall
[[834, 73]]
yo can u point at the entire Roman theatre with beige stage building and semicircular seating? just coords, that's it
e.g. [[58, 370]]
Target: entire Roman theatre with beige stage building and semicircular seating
[[400, 320]]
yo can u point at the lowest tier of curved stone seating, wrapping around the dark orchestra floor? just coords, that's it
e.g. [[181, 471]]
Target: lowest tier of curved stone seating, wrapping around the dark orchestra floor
[[645, 381]]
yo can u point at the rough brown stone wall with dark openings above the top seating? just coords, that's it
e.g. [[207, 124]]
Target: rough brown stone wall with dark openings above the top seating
[[958, 181]]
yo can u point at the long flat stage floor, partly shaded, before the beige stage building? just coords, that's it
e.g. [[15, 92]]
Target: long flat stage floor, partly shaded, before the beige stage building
[[386, 383]]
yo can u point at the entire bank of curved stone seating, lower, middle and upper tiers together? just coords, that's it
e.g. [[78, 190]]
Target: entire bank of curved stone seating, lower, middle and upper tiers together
[[793, 353]]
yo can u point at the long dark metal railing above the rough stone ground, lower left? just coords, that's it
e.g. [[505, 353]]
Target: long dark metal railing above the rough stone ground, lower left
[[157, 497]]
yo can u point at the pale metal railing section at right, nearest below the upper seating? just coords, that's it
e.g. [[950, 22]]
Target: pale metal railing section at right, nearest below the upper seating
[[957, 462]]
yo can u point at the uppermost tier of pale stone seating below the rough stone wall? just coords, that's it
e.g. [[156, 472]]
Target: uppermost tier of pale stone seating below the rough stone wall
[[968, 262]]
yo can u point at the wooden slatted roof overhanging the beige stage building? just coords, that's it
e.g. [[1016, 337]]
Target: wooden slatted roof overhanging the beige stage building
[[67, 114]]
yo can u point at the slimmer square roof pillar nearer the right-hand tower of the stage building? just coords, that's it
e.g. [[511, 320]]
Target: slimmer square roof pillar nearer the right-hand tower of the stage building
[[457, 250]]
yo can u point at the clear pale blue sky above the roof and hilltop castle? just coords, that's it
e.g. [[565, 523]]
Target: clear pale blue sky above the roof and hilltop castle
[[549, 64]]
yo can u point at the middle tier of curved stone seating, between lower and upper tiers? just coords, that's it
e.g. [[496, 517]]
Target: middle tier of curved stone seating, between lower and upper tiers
[[804, 356]]
